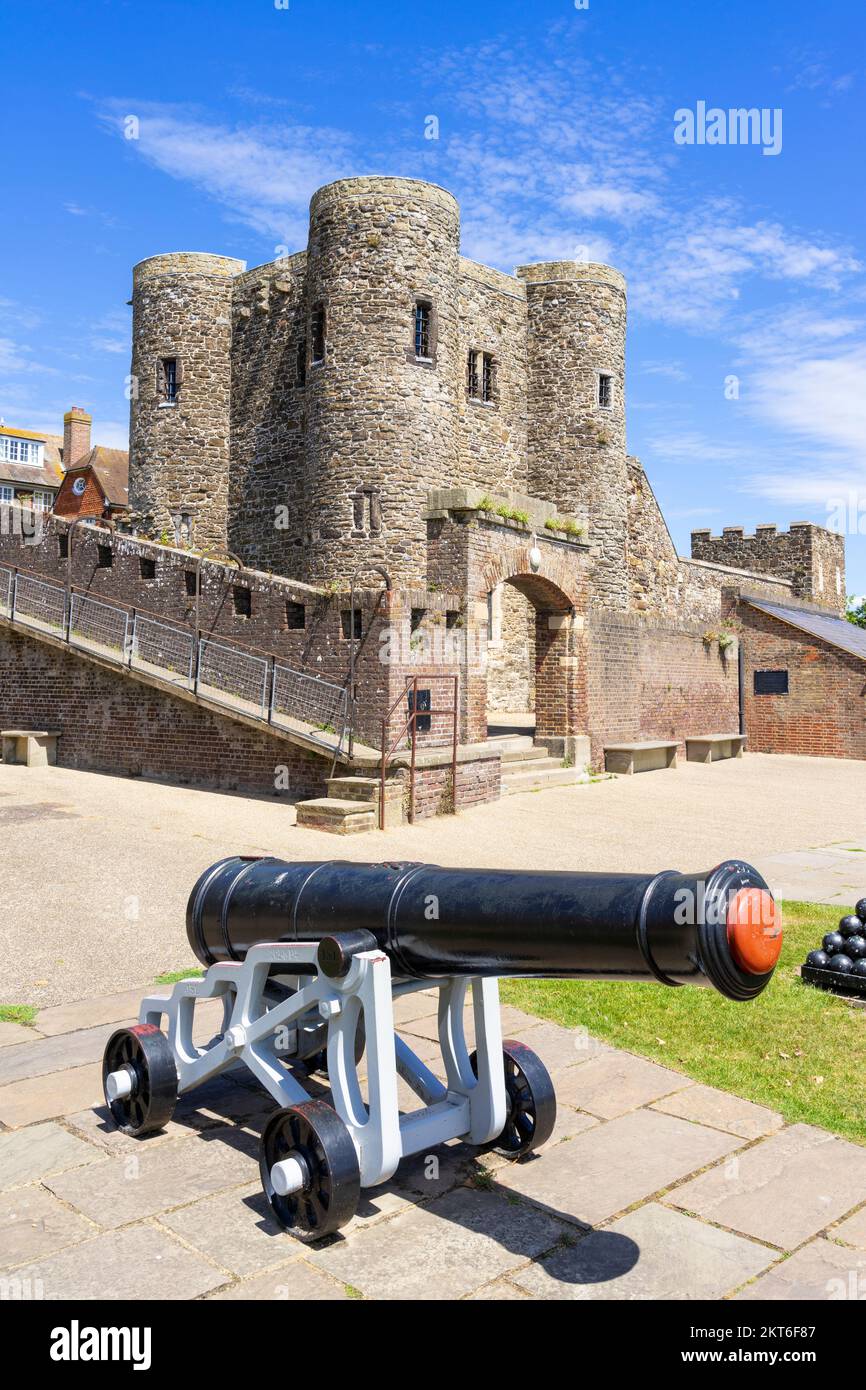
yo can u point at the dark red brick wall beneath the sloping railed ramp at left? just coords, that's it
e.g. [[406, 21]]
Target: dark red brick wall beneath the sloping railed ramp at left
[[117, 725]]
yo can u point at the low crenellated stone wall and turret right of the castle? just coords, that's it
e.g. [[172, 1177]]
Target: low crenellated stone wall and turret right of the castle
[[808, 557]]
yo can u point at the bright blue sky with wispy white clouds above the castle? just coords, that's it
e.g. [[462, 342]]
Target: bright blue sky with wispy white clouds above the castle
[[557, 133]]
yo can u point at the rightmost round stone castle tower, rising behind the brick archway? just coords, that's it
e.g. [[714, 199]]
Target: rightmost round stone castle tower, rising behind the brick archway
[[576, 366]]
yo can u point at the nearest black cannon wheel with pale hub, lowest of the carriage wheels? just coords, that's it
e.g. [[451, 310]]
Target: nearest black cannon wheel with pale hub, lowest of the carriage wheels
[[315, 1135]]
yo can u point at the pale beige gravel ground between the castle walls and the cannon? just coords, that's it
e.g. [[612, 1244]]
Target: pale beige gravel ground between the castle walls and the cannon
[[97, 871]]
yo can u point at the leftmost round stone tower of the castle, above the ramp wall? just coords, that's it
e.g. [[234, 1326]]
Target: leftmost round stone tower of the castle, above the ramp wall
[[180, 397]]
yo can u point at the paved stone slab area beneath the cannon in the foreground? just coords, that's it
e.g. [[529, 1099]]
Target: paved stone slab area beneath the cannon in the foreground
[[651, 1188]]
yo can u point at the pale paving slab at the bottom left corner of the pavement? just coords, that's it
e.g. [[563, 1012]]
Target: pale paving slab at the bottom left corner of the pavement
[[137, 1264]]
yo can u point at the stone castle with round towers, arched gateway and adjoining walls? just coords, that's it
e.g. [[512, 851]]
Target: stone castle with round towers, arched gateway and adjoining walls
[[379, 407]]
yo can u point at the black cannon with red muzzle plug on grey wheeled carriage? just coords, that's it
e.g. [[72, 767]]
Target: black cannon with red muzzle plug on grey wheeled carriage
[[313, 963]]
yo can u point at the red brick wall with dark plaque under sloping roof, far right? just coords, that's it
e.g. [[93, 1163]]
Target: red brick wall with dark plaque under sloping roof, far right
[[824, 715]]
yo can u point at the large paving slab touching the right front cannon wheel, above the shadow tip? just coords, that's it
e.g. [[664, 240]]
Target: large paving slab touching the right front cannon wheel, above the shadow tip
[[614, 1166]]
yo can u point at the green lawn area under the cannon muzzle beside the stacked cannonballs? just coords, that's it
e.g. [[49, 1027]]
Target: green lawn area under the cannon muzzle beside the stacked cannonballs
[[796, 1049]]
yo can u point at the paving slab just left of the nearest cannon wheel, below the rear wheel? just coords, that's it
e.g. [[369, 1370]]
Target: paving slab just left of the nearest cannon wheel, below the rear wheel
[[127, 1189]]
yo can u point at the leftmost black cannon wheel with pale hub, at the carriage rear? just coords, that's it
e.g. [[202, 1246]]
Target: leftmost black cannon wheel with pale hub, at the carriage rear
[[145, 1052]]
